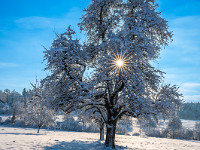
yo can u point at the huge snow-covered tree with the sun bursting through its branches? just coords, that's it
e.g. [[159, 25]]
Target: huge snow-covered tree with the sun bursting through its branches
[[123, 38]]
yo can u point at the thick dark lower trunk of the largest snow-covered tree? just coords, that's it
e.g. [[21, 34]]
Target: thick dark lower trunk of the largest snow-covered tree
[[110, 135]]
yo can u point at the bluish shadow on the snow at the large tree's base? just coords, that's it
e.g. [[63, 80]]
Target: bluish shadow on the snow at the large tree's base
[[80, 145]]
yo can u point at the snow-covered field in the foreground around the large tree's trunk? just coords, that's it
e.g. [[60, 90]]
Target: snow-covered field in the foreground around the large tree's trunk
[[27, 138]]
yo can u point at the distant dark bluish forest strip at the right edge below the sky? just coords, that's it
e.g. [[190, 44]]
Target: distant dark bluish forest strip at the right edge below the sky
[[190, 111]]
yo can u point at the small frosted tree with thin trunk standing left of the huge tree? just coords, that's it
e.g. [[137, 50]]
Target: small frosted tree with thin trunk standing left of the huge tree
[[37, 111]]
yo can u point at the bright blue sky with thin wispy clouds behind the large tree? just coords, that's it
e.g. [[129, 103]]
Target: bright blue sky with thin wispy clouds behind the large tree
[[26, 26]]
